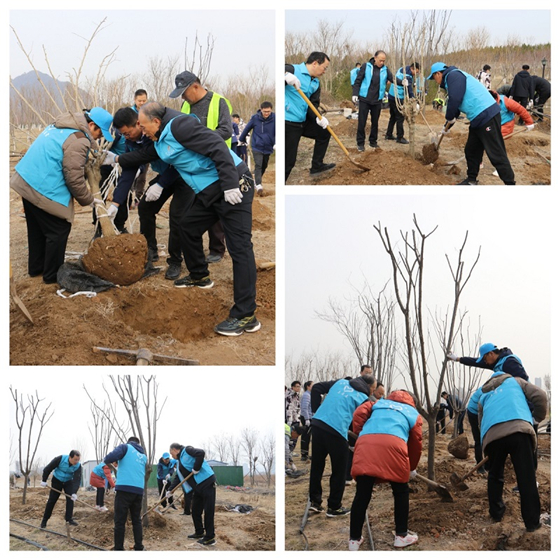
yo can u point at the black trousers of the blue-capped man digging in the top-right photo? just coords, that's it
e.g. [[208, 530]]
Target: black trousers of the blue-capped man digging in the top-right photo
[[489, 139]]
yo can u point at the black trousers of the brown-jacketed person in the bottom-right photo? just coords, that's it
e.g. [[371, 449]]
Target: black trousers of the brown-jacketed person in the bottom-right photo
[[520, 448]]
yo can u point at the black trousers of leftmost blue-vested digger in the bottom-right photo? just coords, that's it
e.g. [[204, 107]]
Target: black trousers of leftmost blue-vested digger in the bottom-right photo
[[326, 444]]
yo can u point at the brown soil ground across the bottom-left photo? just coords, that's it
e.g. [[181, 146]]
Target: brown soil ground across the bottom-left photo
[[234, 531]]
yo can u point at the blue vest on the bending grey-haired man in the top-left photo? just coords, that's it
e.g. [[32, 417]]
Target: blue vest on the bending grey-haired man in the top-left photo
[[197, 171]]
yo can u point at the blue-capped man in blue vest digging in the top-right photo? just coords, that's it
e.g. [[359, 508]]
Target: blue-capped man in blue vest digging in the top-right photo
[[465, 94]]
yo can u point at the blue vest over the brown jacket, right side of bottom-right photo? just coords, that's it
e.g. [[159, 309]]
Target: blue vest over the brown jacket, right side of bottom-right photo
[[506, 402]]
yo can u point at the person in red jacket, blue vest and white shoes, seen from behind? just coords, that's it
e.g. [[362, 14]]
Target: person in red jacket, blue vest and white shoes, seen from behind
[[388, 449]]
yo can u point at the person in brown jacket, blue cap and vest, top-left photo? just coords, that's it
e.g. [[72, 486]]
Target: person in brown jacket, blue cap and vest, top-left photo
[[49, 177]]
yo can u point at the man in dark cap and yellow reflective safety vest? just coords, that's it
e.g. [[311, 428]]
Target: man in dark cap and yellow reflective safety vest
[[214, 112]]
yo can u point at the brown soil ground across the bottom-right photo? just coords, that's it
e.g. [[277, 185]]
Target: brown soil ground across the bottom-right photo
[[463, 524]]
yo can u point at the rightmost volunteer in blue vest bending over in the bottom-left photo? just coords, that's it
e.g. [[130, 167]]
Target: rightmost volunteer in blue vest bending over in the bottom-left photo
[[202, 485]]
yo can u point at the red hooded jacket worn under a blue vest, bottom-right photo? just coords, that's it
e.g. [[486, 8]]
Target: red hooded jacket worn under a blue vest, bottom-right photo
[[386, 457]]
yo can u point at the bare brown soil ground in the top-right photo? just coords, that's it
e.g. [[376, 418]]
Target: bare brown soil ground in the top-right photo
[[391, 163]]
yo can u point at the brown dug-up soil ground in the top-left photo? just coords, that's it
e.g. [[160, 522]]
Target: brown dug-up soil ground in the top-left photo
[[150, 313]]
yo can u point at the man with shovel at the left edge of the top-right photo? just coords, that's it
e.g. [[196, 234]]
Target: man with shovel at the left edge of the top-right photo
[[300, 119]]
